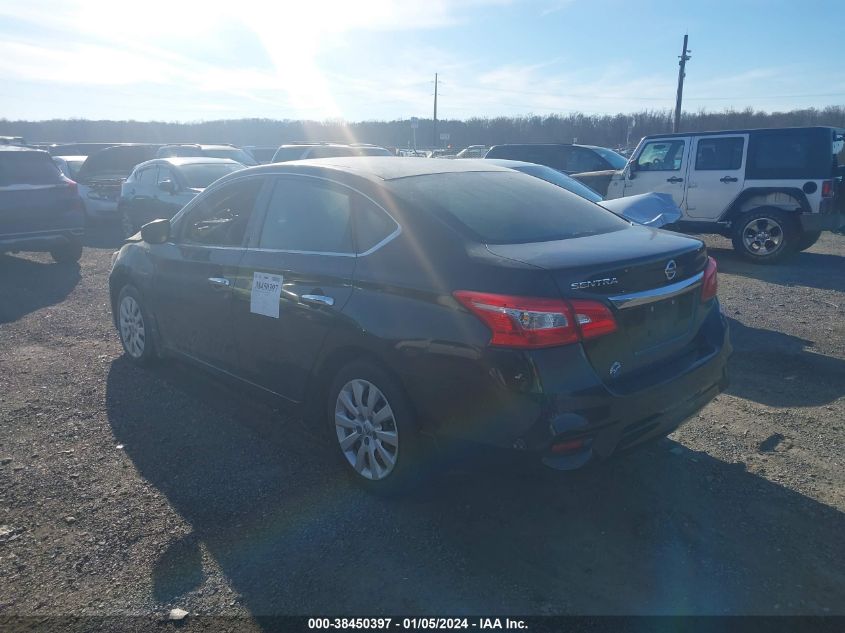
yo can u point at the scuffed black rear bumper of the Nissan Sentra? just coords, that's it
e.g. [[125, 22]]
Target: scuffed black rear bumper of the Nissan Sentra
[[568, 403]]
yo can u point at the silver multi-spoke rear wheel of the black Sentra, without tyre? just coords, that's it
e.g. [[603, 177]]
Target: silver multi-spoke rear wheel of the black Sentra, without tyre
[[366, 429]]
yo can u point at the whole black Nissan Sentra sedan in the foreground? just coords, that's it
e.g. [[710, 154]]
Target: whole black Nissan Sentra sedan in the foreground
[[394, 297]]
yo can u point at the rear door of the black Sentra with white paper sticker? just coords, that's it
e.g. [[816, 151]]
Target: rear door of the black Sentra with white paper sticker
[[294, 281]]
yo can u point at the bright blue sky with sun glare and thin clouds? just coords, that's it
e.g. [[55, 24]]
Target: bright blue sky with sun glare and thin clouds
[[188, 60]]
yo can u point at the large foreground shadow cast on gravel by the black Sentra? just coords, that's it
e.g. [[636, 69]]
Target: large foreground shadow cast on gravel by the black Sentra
[[662, 530]]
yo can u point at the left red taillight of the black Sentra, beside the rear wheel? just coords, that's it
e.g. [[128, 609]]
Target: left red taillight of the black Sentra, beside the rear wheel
[[528, 322]]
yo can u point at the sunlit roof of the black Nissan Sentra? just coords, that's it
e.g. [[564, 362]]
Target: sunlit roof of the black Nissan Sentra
[[381, 167]]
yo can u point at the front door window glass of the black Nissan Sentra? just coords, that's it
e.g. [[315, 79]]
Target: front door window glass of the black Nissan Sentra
[[221, 218]]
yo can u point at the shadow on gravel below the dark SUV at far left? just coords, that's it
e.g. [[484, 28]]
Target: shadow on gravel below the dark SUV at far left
[[27, 285]]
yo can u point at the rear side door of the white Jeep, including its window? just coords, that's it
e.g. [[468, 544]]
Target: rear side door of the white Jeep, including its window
[[716, 176]]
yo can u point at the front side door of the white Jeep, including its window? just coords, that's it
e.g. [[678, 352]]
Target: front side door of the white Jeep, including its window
[[661, 166]]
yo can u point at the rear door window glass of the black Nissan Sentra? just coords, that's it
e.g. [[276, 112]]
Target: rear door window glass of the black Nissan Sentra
[[306, 214]]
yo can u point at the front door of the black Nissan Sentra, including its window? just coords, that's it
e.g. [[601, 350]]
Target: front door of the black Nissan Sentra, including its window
[[195, 273]]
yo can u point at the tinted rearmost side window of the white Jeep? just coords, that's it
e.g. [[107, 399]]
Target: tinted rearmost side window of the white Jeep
[[790, 154]]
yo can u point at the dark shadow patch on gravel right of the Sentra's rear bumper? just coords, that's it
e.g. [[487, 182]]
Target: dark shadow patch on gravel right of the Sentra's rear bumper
[[764, 358]]
